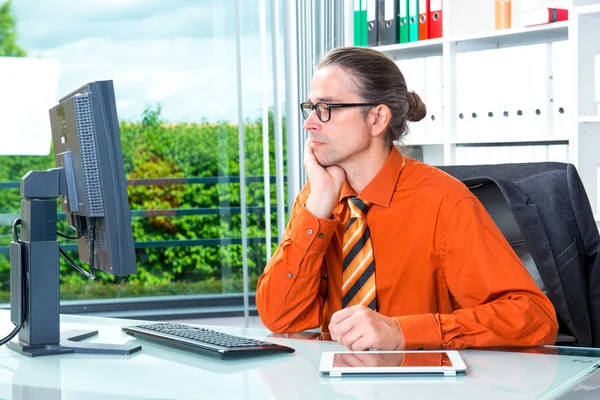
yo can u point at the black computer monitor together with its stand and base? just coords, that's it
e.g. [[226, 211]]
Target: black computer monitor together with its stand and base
[[90, 181]]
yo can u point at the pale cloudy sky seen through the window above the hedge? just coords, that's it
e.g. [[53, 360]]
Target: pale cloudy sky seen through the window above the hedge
[[180, 54]]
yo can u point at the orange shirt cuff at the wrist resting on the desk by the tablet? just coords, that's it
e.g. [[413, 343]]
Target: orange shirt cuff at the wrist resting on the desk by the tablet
[[420, 331]]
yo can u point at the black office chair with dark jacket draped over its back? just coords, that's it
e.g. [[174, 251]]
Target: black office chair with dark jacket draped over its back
[[561, 274]]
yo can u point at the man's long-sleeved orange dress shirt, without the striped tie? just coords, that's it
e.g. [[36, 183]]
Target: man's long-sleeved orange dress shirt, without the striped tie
[[443, 270]]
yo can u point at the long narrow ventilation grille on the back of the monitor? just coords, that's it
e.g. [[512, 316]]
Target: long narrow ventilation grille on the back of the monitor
[[89, 159]]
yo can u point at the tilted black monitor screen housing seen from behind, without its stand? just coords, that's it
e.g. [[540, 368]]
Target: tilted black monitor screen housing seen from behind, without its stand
[[87, 144]]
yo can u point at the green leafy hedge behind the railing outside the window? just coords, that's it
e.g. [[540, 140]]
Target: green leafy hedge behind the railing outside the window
[[153, 149]]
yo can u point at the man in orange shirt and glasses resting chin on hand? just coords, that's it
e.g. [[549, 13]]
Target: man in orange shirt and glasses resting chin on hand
[[383, 251]]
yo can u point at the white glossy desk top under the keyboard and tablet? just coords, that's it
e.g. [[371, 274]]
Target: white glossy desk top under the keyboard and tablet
[[158, 372]]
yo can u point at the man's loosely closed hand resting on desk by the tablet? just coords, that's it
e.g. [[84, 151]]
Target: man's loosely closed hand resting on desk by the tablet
[[360, 328]]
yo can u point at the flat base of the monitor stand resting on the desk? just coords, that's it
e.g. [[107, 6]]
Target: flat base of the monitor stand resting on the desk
[[70, 342]]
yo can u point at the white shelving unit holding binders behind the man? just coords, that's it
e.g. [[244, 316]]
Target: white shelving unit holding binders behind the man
[[468, 28]]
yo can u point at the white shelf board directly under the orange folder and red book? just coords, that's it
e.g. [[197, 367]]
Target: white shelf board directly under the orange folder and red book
[[511, 37]]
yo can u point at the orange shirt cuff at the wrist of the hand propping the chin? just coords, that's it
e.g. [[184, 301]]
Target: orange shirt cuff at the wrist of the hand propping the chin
[[310, 232]]
